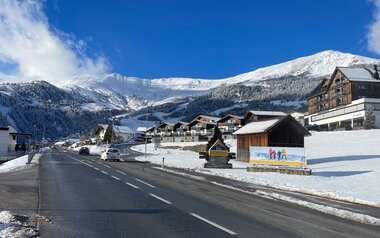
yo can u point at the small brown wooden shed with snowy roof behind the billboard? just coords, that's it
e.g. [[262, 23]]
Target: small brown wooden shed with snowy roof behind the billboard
[[281, 131]]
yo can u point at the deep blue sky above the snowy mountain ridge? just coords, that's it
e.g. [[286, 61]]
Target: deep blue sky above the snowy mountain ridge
[[191, 38]]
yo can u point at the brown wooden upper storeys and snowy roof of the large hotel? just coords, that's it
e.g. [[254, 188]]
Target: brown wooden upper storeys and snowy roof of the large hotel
[[344, 86]]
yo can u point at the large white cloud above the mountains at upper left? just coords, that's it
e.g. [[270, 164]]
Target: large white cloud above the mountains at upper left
[[39, 51]]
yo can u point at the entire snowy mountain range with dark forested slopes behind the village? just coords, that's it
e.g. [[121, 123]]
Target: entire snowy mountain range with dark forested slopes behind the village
[[81, 103]]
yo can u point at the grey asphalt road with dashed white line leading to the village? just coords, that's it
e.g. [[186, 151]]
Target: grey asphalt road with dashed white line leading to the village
[[85, 198]]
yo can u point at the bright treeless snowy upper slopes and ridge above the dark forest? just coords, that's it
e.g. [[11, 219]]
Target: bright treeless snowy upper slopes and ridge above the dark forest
[[161, 90]]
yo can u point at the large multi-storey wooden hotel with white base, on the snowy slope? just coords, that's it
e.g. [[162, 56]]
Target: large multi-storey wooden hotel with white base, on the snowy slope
[[340, 102]]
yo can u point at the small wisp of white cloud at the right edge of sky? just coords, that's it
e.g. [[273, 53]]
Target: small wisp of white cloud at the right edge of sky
[[373, 34]]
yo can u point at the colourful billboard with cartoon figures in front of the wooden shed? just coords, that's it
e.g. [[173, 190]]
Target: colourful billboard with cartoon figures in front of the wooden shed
[[290, 156]]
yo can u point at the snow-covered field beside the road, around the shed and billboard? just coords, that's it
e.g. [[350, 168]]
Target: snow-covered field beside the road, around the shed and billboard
[[346, 166]]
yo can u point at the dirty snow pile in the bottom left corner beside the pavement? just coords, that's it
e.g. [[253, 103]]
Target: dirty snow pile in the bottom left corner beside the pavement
[[10, 227]]
